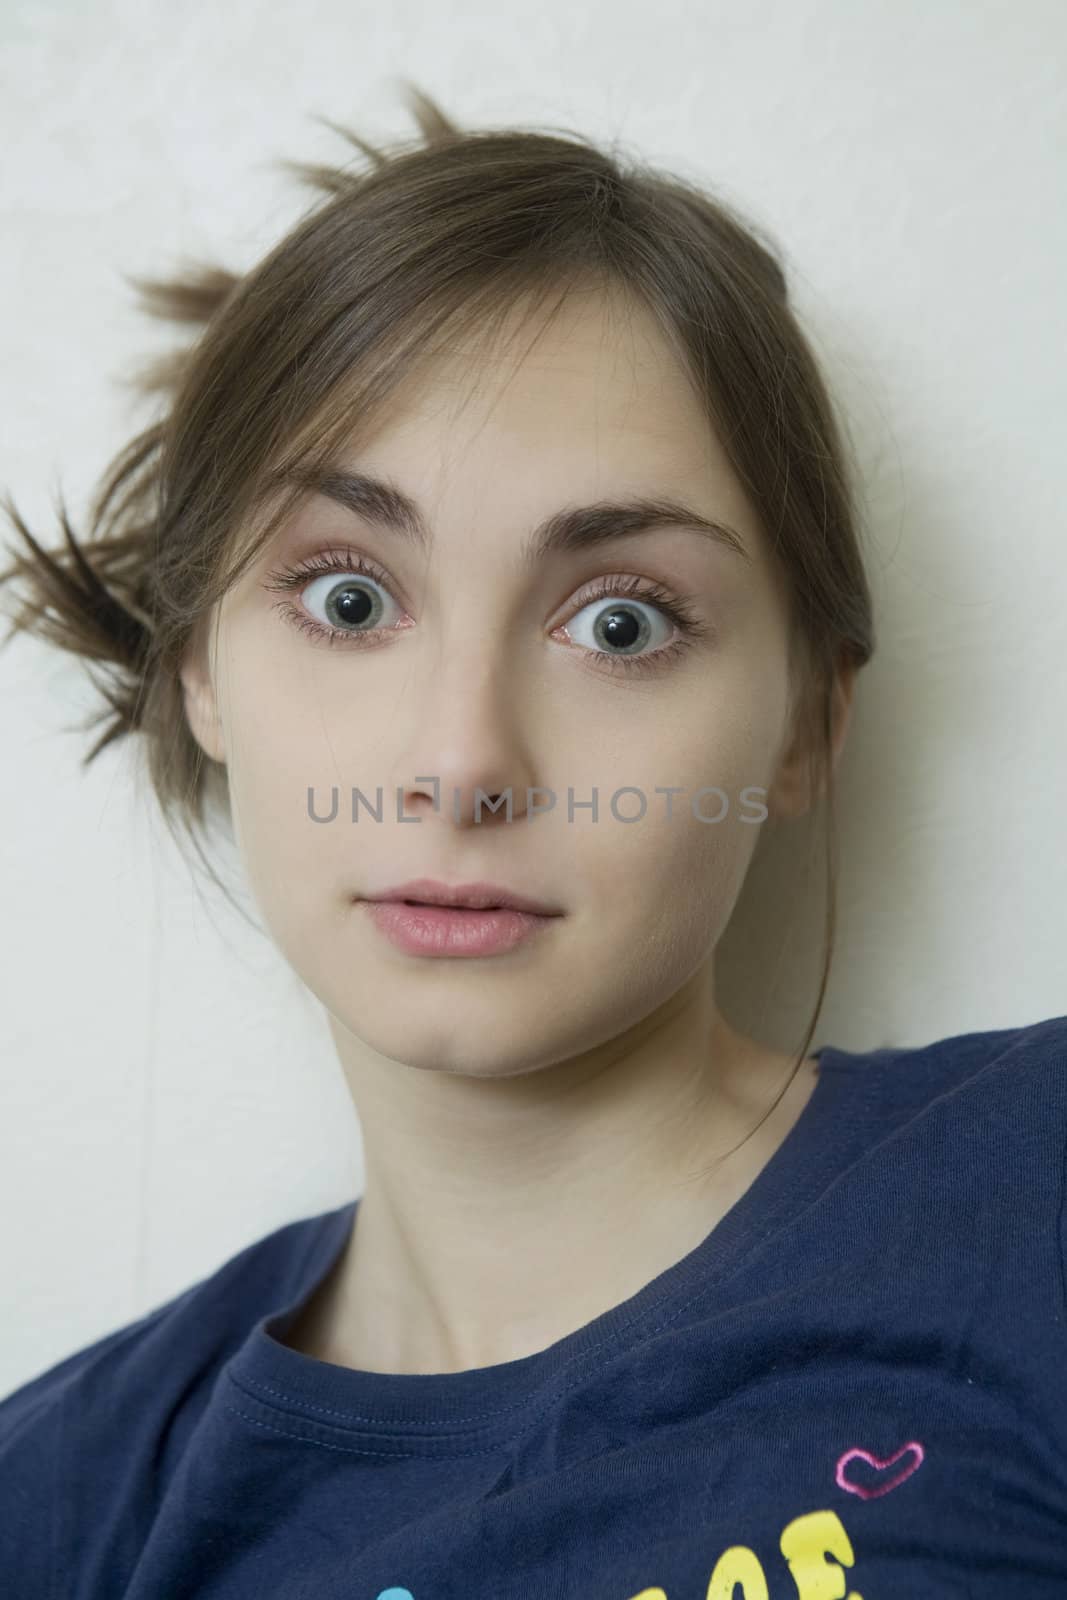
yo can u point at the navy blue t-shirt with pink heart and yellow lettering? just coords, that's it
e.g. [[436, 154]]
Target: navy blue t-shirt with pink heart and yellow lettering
[[855, 1386]]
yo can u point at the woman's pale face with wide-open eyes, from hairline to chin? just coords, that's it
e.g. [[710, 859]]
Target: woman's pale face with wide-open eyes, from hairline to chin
[[462, 665]]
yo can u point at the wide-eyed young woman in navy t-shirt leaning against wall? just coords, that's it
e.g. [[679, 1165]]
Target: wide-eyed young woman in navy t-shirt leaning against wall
[[495, 577]]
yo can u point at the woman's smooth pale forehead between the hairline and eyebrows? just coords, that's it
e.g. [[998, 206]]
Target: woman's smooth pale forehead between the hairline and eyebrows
[[585, 401]]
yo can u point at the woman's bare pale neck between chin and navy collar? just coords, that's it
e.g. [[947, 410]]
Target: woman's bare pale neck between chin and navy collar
[[500, 1215]]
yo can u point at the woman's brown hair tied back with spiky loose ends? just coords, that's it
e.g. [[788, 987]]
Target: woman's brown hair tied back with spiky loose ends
[[439, 236]]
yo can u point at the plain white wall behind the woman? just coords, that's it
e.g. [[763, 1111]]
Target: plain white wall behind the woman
[[169, 1092]]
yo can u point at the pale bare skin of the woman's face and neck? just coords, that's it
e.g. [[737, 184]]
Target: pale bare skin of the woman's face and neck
[[543, 1130]]
